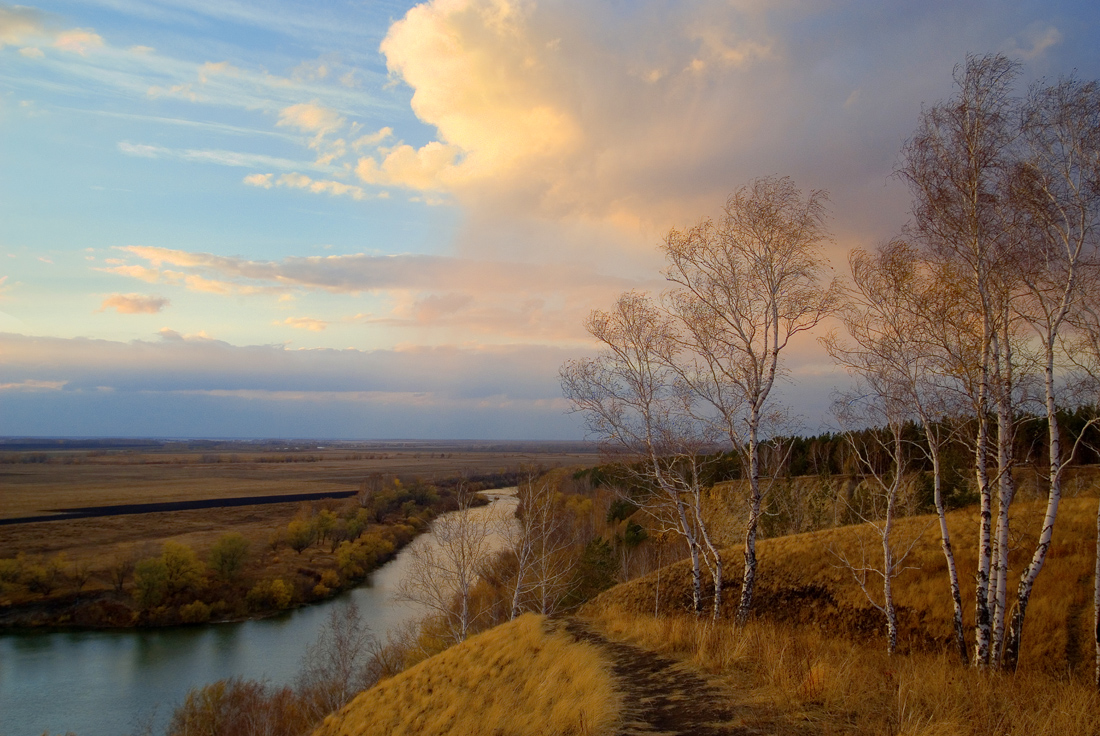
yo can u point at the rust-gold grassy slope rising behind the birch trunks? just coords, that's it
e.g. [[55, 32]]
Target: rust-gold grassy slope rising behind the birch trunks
[[802, 583]]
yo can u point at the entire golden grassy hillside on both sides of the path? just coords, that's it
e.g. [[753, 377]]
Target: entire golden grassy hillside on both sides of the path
[[813, 662]]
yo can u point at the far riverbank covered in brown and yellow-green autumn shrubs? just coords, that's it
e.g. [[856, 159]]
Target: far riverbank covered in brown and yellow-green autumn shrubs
[[245, 564]]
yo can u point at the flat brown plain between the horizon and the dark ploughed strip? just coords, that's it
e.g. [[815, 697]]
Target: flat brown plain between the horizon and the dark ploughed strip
[[45, 481]]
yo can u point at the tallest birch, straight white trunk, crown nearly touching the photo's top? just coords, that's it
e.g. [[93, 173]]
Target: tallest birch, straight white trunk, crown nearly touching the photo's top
[[955, 166]]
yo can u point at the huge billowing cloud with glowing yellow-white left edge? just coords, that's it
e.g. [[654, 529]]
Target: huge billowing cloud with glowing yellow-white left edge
[[651, 113]]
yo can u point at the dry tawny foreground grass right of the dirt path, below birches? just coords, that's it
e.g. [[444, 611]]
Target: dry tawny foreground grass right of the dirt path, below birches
[[783, 679]]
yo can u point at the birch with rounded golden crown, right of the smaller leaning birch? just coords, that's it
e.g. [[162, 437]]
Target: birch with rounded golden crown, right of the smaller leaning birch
[[746, 285]]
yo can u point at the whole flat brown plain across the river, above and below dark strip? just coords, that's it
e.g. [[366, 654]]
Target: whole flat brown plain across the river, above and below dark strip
[[45, 481]]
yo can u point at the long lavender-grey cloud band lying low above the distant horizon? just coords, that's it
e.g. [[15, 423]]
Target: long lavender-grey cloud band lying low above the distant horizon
[[195, 364]]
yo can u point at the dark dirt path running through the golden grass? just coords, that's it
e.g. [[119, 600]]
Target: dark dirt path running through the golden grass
[[663, 697]]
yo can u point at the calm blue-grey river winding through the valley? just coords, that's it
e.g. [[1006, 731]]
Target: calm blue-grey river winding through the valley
[[114, 683]]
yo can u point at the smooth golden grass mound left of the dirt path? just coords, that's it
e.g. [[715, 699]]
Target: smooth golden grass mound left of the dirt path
[[525, 677]]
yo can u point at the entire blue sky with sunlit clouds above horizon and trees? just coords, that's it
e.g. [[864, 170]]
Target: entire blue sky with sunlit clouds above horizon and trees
[[358, 219]]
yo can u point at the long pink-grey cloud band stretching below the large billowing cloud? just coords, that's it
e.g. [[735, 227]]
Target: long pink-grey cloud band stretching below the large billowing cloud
[[444, 298]]
